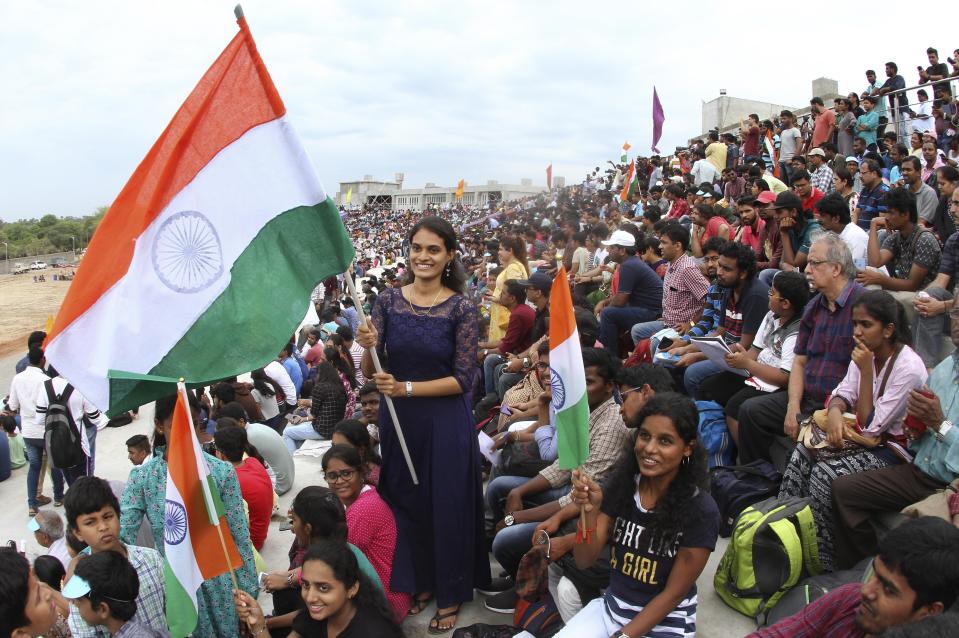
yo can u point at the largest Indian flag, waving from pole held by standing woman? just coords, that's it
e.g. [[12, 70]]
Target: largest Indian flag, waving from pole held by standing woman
[[204, 264]]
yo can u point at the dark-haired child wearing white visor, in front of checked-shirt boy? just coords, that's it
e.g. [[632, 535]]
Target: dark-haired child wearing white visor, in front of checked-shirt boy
[[104, 589]]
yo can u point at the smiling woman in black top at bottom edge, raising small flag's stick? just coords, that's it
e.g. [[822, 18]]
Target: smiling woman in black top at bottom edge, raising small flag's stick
[[341, 602]]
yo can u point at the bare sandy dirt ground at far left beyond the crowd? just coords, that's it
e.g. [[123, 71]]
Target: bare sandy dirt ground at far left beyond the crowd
[[26, 306]]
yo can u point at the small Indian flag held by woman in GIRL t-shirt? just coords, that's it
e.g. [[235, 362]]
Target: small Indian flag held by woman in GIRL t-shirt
[[567, 377]]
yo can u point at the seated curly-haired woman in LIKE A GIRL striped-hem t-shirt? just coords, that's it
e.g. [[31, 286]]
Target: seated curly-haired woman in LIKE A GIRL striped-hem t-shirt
[[662, 525]]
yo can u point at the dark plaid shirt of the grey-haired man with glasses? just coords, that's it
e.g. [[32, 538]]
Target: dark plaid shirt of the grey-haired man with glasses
[[825, 339]]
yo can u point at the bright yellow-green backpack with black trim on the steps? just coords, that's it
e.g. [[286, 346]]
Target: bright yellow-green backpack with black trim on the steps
[[773, 546]]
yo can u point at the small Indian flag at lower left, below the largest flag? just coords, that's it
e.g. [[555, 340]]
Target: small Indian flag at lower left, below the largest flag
[[192, 523]]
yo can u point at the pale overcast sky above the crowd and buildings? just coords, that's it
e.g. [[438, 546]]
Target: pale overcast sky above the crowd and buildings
[[439, 91]]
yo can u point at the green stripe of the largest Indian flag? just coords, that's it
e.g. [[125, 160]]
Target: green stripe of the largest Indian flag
[[270, 286]]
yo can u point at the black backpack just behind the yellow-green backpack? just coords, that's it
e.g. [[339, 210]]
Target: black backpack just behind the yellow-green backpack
[[736, 487]]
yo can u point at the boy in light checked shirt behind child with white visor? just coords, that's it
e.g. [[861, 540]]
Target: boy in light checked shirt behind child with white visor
[[93, 516]]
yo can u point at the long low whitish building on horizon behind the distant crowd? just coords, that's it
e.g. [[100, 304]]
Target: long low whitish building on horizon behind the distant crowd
[[369, 190]]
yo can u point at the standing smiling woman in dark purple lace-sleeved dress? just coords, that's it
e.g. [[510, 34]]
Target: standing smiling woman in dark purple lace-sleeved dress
[[426, 336]]
